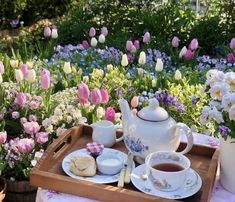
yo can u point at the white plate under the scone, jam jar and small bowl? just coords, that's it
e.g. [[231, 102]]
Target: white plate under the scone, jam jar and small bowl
[[99, 177]]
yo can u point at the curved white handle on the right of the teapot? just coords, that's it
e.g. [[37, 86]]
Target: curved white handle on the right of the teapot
[[189, 136]]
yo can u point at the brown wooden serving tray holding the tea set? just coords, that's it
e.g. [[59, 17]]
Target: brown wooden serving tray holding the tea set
[[48, 172]]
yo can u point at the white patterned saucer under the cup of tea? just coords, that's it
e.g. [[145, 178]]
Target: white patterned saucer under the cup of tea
[[191, 186]]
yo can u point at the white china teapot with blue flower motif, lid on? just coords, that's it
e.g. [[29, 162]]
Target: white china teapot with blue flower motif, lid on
[[151, 130]]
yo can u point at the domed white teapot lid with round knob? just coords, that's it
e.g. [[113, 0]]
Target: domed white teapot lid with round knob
[[153, 112]]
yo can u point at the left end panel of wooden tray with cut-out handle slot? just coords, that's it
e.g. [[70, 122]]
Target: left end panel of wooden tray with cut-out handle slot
[[63, 142]]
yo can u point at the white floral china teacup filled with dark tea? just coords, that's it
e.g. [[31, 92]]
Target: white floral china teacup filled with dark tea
[[167, 170]]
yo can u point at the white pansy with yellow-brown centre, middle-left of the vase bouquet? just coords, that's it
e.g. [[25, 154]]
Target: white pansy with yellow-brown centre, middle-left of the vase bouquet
[[218, 90]]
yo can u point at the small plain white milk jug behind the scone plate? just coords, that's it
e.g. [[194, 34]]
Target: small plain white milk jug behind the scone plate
[[104, 132]]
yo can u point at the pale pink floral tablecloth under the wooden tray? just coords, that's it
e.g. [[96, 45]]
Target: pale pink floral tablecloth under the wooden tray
[[219, 194]]
